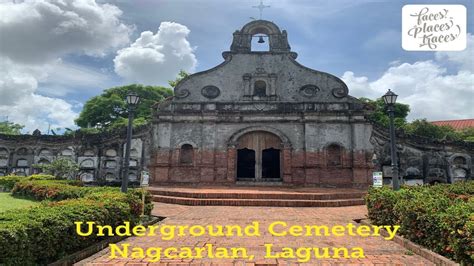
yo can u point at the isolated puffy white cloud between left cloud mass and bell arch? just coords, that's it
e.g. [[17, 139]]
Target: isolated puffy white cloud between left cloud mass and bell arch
[[154, 59]]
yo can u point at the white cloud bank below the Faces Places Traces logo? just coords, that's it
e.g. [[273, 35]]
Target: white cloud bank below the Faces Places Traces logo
[[426, 86]]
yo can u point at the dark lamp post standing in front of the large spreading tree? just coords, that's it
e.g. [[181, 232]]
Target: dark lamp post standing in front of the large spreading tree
[[132, 101]]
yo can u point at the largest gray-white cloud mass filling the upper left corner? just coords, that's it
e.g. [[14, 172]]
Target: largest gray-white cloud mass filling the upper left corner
[[35, 34]]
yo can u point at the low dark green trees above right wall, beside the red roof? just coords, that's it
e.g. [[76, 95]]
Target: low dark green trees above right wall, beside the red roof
[[422, 127]]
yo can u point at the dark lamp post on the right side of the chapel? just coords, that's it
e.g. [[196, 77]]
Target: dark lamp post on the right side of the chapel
[[390, 98]]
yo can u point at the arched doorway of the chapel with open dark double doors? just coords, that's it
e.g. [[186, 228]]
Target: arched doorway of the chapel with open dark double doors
[[259, 156]]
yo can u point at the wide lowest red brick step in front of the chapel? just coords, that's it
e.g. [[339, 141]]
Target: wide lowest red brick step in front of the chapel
[[257, 202]]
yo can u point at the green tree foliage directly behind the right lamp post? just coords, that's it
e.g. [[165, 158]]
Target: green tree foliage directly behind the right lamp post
[[380, 115]]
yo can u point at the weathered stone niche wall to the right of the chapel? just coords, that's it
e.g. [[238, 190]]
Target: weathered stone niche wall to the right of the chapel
[[424, 160]]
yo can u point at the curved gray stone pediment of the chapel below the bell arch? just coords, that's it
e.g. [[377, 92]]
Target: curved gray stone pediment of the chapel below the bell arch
[[284, 79]]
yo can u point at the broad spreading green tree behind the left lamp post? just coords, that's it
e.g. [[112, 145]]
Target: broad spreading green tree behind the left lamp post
[[109, 110]]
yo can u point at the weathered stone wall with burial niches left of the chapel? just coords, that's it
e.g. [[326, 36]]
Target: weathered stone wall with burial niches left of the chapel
[[100, 156]]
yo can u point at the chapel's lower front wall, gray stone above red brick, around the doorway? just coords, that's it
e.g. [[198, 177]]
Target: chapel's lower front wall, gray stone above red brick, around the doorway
[[305, 134]]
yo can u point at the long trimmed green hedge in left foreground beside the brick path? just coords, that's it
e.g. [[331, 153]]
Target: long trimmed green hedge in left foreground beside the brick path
[[44, 234]]
